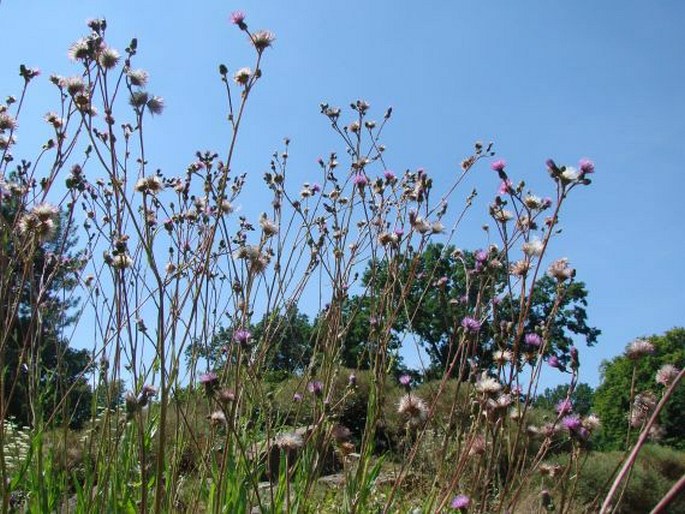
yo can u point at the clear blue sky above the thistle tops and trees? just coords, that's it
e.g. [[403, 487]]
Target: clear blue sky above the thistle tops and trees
[[541, 79]]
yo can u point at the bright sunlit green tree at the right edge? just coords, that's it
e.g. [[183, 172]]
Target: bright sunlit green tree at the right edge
[[612, 399]]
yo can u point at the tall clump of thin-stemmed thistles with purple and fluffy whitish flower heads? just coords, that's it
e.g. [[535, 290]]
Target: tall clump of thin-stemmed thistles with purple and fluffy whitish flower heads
[[187, 299]]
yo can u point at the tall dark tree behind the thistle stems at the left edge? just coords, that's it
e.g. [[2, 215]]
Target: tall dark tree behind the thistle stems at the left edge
[[37, 305]]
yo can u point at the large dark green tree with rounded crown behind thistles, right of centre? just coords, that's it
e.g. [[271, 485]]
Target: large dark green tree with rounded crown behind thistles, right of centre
[[440, 286]]
